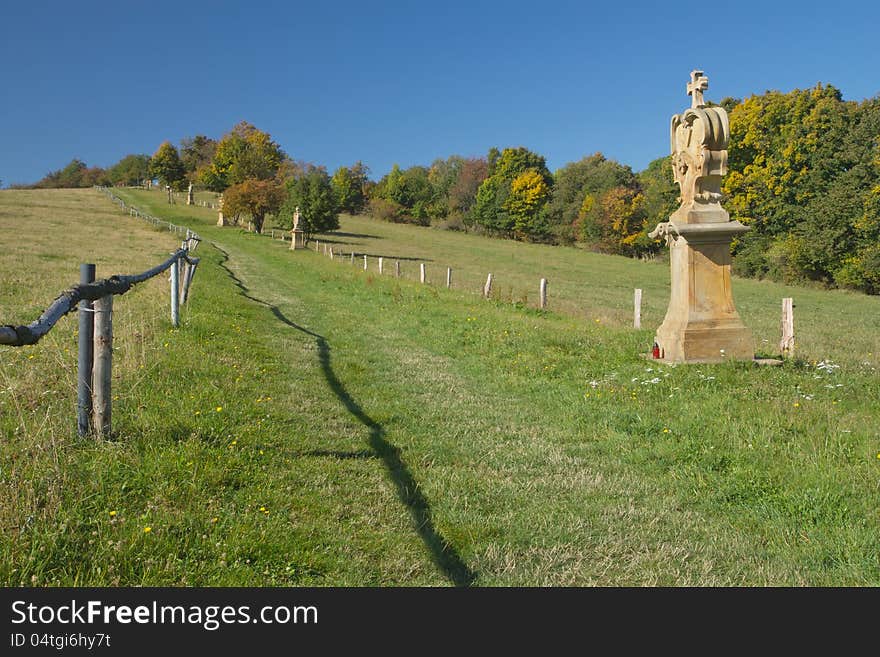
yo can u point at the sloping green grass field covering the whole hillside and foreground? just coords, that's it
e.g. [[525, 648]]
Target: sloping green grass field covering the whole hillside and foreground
[[312, 423]]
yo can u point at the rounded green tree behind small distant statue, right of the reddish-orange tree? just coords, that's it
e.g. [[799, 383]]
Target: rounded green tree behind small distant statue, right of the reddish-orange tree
[[313, 193]]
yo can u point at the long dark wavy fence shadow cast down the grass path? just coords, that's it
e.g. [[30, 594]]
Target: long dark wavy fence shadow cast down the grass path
[[445, 556]]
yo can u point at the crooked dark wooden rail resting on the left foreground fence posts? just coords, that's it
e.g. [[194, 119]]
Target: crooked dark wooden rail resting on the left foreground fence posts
[[18, 336]]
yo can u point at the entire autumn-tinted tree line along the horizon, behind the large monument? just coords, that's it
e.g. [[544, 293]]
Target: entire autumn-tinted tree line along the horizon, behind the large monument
[[804, 174]]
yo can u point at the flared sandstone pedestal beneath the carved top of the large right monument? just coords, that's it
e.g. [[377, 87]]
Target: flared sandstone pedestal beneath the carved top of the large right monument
[[702, 324]]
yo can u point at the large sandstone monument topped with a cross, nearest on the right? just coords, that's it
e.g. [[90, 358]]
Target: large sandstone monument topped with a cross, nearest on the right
[[701, 324]]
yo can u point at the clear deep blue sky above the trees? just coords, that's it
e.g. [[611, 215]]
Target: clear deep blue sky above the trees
[[402, 82]]
